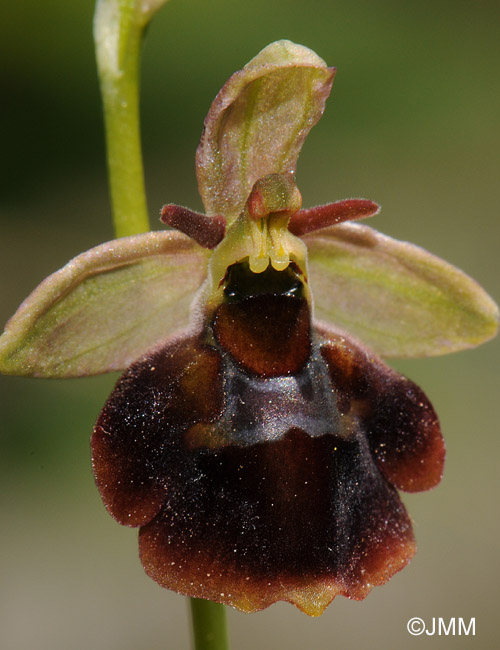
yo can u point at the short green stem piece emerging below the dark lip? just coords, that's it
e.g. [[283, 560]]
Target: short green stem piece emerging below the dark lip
[[209, 625]]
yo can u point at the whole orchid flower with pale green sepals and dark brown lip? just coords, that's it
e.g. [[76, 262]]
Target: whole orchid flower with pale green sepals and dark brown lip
[[256, 437]]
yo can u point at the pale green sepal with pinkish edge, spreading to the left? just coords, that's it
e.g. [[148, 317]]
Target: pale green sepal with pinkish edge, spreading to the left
[[105, 308]]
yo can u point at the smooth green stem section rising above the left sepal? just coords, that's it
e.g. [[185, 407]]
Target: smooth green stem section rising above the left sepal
[[118, 29]]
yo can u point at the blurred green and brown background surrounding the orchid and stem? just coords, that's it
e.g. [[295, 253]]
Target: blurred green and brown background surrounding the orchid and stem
[[413, 123]]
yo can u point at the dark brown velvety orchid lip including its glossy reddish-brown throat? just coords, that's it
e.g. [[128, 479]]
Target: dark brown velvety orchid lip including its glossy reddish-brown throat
[[261, 458]]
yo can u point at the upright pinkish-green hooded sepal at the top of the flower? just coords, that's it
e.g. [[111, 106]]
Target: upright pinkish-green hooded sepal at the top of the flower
[[258, 122]]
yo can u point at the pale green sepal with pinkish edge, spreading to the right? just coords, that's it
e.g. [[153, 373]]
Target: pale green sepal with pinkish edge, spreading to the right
[[396, 297]]
